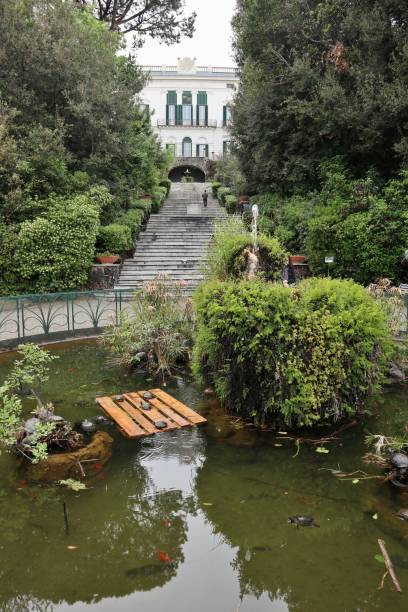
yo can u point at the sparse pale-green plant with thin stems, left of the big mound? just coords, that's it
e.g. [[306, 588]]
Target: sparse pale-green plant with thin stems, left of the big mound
[[160, 328]]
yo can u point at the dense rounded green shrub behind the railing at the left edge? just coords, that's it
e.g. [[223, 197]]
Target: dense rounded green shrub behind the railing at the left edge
[[52, 253]]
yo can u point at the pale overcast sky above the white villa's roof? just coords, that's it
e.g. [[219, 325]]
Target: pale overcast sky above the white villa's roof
[[211, 43]]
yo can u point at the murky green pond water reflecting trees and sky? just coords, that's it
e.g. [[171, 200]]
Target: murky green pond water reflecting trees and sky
[[215, 500]]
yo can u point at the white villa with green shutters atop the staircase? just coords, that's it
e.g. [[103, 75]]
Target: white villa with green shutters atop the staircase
[[191, 107]]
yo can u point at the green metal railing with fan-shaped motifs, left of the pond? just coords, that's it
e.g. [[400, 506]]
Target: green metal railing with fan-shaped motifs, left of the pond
[[64, 314]]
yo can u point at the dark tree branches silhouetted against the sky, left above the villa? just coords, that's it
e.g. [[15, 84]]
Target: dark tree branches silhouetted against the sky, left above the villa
[[162, 19]]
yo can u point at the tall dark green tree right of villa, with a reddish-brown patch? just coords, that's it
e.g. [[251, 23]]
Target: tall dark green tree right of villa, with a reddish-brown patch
[[320, 78]]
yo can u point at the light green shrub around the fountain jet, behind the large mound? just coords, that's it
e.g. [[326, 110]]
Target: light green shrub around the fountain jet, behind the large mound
[[227, 254]]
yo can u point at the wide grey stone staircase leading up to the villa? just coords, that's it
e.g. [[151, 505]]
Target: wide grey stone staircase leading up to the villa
[[175, 240]]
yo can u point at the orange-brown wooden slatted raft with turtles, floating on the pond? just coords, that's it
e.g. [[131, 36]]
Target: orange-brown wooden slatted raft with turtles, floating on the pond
[[134, 422]]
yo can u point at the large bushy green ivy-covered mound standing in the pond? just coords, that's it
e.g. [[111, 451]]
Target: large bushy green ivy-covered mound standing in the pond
[[291, 356]]
